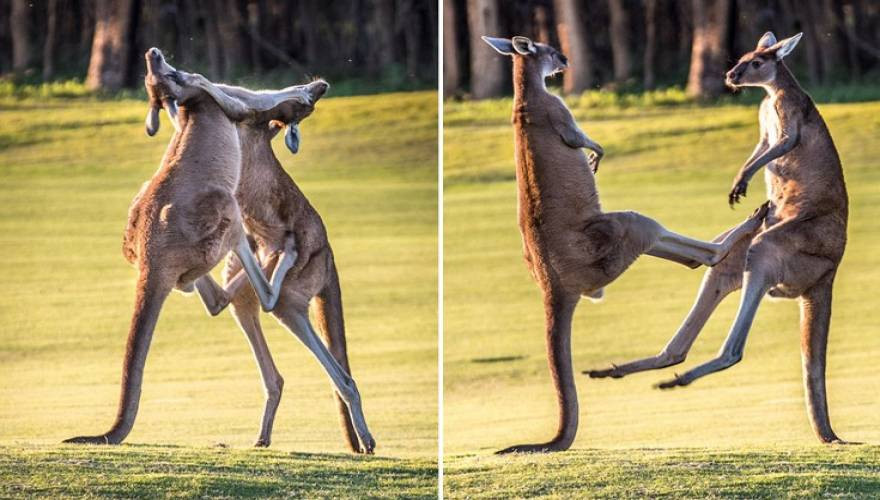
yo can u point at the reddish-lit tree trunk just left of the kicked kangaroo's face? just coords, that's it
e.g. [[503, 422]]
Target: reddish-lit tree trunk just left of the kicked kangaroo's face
[[709, 48]]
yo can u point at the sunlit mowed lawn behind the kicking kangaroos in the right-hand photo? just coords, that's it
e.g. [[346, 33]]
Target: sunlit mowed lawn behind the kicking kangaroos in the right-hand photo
[[675, 165]]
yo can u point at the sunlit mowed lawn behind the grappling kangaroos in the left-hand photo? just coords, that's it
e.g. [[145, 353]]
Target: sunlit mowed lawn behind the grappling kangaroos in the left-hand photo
[[68, 172]]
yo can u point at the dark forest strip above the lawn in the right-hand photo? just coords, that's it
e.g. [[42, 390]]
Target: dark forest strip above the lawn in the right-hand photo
[[642, 44]]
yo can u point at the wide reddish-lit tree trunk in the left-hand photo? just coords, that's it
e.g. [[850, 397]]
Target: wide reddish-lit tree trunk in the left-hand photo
[[111, 44]]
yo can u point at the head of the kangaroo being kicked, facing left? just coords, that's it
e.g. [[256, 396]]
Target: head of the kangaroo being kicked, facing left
[[758, 67]]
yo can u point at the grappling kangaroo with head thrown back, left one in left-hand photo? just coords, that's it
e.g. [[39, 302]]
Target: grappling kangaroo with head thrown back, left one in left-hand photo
[[184, 220]]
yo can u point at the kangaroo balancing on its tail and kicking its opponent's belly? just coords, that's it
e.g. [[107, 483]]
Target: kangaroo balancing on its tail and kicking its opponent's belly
[[571, 246]]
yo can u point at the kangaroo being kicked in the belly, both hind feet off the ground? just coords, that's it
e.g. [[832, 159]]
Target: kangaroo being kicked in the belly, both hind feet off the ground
[[797, 251]]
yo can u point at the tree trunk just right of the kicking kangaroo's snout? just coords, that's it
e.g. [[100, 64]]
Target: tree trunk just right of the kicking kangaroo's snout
[[572, 37]]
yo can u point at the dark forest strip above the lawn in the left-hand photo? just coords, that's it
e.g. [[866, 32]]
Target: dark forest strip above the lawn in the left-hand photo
[[369, 44]]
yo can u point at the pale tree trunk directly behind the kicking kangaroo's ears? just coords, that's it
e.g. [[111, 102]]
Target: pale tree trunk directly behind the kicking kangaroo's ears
[[487, 66]]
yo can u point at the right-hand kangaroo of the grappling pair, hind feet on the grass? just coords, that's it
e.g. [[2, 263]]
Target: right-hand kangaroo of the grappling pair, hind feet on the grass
[[284, 225]]
